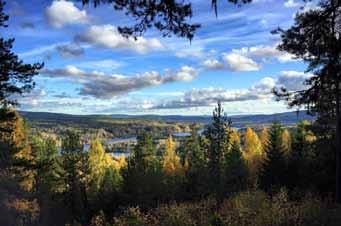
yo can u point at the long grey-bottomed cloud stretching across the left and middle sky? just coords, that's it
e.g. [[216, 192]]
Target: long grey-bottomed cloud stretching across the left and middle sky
[[105, 86]]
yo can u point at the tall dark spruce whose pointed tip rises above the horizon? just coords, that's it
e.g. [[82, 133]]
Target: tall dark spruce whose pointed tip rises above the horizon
[[217, 135]]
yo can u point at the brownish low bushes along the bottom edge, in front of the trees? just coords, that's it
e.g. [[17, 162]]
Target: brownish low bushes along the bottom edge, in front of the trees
[[254, 208]]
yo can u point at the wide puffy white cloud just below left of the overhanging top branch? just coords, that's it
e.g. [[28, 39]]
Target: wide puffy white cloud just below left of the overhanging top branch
[[108, 36]]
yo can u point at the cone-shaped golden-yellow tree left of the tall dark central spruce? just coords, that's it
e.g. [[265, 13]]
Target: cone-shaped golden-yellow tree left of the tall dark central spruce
[[171, 161]]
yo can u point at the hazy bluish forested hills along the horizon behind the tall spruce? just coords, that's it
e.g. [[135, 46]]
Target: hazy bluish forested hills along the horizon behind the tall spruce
[[43, 119]]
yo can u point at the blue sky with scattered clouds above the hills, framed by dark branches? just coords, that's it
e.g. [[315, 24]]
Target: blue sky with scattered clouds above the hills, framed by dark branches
[[91, 69]]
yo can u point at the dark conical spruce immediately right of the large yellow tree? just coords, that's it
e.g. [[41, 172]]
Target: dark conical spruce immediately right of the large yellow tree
[[273, 173]]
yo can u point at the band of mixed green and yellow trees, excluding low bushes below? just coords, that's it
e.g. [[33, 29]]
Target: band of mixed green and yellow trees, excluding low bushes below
[[67, 184]]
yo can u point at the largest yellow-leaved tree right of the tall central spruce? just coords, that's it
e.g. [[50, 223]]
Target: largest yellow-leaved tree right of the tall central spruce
[[253, 154]]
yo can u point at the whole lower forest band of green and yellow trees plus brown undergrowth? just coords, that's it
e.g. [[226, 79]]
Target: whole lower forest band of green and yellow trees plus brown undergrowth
[[220, 177]]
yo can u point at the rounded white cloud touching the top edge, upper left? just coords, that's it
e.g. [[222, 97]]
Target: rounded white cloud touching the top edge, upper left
[[61, 13]]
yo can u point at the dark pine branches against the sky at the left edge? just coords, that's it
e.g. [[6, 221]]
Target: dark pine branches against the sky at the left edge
[[15, 76]]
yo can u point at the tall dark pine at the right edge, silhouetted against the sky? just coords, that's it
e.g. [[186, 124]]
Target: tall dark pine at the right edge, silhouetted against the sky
[[315, 38]]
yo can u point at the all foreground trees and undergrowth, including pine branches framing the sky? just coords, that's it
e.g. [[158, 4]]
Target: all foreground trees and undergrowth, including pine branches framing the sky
[[273, 175]]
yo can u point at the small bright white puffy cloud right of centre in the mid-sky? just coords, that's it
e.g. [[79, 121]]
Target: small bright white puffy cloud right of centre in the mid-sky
[[239, 62]]
